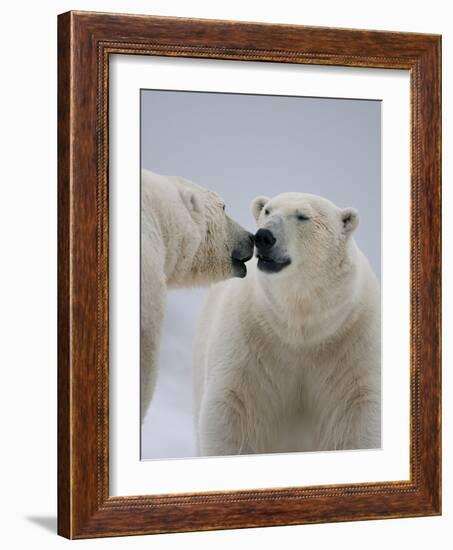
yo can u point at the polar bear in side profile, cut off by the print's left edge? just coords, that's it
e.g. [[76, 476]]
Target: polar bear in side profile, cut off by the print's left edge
[[187, 240]]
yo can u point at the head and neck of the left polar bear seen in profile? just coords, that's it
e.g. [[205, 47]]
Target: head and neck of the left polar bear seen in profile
[[186, 229]]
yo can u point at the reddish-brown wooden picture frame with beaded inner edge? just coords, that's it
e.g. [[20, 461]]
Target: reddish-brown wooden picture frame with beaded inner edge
[[85, 41]]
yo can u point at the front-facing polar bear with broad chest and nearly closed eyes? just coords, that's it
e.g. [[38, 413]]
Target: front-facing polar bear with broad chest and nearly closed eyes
[[288, 359]]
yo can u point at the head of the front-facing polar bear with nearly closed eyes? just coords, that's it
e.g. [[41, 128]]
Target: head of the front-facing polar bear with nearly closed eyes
[[301, 234]]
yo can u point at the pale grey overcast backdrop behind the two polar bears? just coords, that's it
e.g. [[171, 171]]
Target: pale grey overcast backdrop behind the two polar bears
[[242, 146]]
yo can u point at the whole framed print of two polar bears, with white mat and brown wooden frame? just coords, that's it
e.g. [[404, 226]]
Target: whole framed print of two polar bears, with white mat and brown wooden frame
[[249, 275]]
